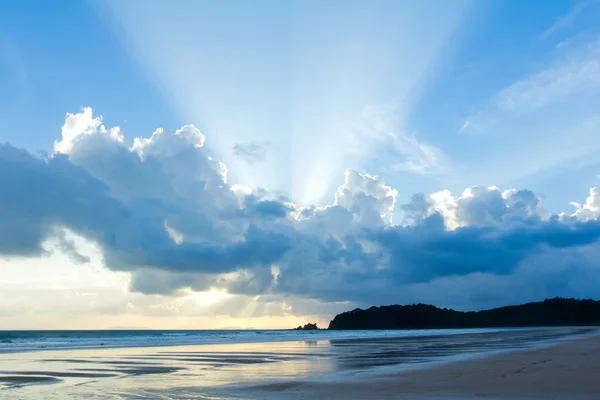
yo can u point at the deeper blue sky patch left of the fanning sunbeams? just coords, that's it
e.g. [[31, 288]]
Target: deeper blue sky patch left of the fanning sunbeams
[[71, 58]]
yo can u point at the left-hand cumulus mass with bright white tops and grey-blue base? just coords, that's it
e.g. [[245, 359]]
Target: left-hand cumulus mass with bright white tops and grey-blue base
[[123, 198]]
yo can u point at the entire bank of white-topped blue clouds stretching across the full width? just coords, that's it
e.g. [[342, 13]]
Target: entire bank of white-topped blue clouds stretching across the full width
[[163, 211]]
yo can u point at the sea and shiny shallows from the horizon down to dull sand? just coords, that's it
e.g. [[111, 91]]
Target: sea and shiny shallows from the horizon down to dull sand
[[169, 365]]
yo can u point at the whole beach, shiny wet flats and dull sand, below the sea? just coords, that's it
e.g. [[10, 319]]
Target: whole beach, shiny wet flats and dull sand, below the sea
[[539, 363]]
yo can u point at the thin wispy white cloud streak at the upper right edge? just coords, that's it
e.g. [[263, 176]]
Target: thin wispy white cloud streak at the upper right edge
[[571, 78]]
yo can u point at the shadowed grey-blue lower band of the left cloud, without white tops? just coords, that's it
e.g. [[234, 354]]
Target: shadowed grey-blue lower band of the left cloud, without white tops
[[40, 195]]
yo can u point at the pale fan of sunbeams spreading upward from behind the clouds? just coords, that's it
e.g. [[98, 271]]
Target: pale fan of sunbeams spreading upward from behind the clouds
[[336, 65]]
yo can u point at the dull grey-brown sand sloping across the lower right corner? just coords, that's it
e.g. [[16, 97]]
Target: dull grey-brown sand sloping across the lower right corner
[[566, 371]]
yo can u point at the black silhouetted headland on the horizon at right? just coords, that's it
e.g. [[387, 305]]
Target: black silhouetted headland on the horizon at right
[[551, 312]]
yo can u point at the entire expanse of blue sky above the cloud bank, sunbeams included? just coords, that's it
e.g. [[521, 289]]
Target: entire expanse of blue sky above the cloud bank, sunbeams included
[[277, 74]]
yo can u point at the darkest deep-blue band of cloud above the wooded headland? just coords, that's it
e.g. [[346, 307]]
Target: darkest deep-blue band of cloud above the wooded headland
[[422, 255]]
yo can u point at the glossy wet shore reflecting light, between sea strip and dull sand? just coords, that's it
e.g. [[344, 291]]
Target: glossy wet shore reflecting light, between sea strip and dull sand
[[166, 372]]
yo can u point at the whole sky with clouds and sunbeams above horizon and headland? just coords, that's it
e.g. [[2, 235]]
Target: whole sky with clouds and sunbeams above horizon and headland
[[203, 165]]
